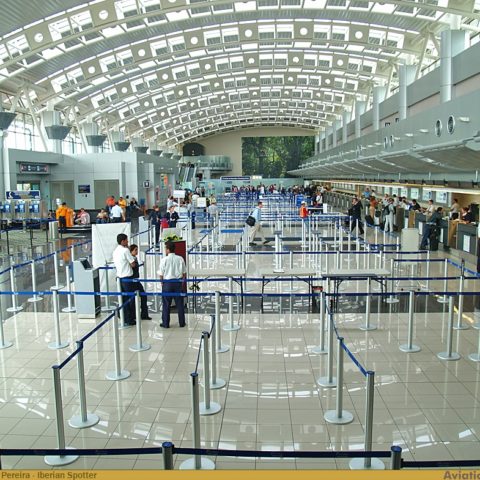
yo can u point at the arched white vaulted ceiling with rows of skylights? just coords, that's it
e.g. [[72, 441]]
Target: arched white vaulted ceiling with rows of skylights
[[177, 70]]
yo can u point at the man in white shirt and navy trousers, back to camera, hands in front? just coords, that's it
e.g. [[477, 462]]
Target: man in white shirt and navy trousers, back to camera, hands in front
[[173, 273]]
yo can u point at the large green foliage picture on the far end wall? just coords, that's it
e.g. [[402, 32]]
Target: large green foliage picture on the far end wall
[[273, 157]]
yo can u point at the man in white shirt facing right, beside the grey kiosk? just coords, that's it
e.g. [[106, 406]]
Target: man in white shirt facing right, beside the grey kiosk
[[124, 261]]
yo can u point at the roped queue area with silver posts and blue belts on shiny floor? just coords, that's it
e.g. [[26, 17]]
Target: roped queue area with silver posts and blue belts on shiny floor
[[319, 349]]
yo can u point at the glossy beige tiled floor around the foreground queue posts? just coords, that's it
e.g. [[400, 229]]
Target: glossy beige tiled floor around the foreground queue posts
[[272, 400]]
